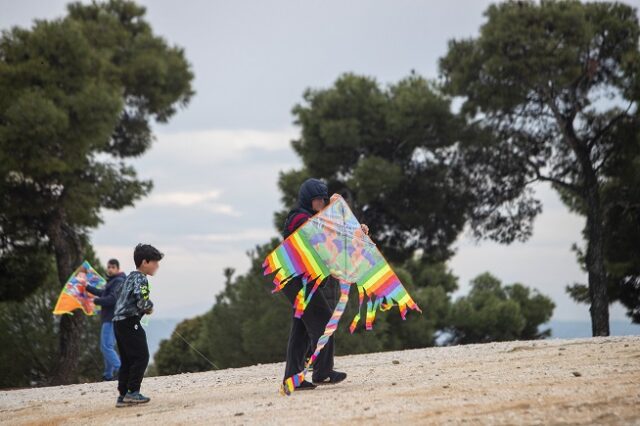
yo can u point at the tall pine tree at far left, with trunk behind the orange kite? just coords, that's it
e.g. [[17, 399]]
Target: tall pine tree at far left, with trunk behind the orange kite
[[77, 95]]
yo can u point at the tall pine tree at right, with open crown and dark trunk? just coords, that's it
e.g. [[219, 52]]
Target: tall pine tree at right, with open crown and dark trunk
[[551, 89]]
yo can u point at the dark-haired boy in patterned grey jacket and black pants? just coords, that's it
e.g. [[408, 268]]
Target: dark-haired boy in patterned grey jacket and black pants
[[133, 303]]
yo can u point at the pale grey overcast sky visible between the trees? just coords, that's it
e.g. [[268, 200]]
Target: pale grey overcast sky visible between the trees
[[215, 165]]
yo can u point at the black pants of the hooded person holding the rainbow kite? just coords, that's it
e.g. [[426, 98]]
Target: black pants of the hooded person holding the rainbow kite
[[305, 333]]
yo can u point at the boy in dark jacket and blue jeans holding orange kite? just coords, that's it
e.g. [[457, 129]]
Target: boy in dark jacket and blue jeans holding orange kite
[[106, 299]]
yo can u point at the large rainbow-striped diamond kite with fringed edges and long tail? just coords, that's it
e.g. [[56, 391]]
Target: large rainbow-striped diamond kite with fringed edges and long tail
[[332, 243]]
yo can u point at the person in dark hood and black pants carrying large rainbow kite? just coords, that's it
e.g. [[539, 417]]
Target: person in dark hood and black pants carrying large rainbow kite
[[313, 196]]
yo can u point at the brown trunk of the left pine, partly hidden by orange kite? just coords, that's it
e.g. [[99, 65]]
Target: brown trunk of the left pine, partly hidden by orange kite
[[68, 251]]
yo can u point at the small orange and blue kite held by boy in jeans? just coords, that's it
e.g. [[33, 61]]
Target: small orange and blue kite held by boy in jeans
[[74, 296]]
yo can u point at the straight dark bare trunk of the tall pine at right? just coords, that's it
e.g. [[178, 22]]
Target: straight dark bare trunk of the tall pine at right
[[595, 265]]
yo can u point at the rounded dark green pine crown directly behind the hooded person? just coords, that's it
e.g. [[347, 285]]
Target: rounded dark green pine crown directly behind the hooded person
[[389, 152]]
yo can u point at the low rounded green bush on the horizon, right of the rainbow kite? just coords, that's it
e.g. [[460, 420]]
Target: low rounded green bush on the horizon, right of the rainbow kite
[[494, 313]]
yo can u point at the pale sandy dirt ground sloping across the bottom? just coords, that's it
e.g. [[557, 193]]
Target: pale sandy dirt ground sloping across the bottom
[[585, 381]]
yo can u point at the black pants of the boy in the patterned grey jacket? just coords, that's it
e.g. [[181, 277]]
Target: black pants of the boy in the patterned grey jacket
[[134, 353]]
